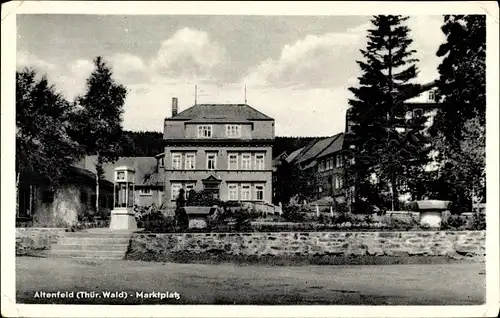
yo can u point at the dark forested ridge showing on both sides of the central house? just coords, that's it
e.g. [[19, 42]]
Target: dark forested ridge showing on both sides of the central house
[[150, 143]]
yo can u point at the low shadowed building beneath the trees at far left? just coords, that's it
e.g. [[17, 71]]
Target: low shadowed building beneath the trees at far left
[[64, 204]]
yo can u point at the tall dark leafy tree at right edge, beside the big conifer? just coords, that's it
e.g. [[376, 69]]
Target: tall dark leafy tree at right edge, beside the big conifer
[[459, 125]]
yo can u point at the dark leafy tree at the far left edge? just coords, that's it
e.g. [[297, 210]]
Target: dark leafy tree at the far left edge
[[44, 147]]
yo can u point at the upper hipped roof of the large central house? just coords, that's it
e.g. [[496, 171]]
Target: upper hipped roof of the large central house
[[221, 113]]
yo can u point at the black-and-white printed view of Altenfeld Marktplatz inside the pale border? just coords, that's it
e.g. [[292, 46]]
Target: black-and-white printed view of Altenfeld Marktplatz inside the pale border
[[251, 159]]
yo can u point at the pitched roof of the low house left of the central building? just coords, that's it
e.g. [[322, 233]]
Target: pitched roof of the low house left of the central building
[[146, 169]]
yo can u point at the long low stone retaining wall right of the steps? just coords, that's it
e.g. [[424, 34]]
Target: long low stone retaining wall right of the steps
[[439, 243]]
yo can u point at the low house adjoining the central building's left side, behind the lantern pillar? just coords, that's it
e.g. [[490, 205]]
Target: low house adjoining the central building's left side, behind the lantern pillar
[[149, 176]]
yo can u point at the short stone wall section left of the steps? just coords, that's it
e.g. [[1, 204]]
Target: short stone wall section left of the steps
[[36, 240]]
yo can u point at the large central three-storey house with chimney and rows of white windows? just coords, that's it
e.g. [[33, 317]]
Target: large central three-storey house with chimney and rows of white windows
[[223, 149]]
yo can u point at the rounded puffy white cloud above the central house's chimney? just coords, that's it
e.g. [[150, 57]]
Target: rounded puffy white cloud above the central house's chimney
[[188, 54]]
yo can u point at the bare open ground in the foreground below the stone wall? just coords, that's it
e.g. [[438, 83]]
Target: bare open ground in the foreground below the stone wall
[[425, 284]]
